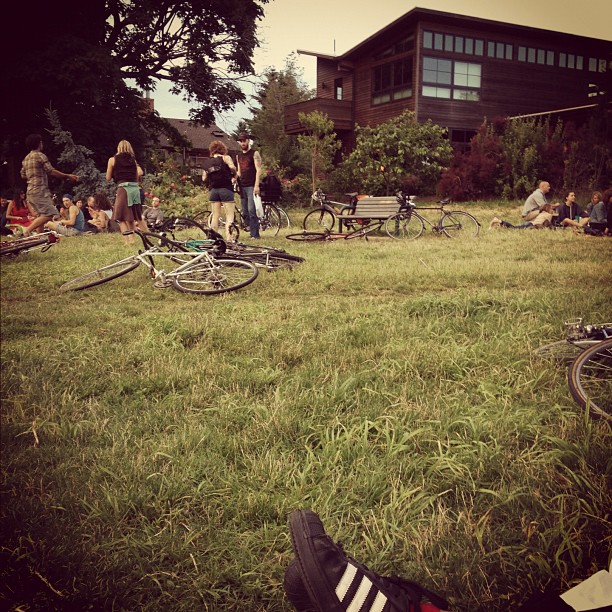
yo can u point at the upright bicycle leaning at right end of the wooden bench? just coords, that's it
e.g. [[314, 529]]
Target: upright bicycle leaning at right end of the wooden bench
[[409, 222]]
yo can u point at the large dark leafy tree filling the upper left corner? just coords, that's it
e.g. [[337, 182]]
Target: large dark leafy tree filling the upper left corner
[[76, 56]]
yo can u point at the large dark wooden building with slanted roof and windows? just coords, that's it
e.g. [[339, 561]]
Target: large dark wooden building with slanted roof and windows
[[456, 71]]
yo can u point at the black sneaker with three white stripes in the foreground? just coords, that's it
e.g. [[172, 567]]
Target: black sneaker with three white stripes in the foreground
[[335, 582]]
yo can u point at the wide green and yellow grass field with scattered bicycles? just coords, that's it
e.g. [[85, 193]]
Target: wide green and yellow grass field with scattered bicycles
[[154, 443]]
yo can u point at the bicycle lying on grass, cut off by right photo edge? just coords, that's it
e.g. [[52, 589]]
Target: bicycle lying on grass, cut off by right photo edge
[[588, 349]]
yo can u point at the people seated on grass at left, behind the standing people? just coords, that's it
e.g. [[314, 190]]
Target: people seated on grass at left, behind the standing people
[[74, 217]]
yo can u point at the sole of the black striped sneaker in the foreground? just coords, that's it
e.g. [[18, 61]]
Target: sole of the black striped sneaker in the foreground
[[304, 525]]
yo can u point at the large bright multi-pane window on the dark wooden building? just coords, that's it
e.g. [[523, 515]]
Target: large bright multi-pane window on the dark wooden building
[[446, 79]]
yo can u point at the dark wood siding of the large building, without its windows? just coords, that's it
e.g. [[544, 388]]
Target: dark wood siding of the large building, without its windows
[[508, 87]]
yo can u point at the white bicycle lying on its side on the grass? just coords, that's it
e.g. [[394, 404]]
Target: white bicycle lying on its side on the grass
[[196, 271]]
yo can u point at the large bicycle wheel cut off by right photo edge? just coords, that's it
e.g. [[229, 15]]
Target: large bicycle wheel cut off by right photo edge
[[590, 379]]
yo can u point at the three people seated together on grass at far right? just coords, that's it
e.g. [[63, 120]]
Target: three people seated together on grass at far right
[[538, 213]]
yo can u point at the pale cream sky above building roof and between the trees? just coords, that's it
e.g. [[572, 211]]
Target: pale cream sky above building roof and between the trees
[[321, 26]]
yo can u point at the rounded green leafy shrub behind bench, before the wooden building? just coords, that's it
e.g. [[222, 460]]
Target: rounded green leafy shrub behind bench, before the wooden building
[[398, 154]]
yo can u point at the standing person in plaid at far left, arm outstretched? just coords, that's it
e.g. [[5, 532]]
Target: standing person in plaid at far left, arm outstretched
[[36, 169]]
